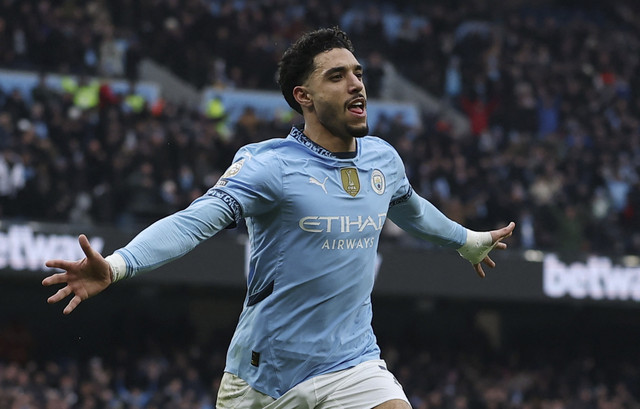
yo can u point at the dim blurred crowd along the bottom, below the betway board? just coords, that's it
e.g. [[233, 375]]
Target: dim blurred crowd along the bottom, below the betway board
[[188, 376]]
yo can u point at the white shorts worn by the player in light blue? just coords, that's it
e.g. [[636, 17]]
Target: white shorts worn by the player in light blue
[[366, 385]]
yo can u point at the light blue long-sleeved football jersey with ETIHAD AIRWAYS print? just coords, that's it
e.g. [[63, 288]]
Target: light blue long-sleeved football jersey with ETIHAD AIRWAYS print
[[314, 220]]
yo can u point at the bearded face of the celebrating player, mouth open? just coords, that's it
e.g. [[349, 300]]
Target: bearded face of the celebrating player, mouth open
[[338, 93]]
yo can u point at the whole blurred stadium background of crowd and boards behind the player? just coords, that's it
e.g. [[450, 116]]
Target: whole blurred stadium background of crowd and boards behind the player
[[116, 113]]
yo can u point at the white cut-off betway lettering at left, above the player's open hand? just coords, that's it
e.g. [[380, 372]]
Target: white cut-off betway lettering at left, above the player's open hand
[[21, 249]]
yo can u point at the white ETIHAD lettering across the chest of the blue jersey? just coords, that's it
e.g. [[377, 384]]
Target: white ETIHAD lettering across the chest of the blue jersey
[[342, 224]]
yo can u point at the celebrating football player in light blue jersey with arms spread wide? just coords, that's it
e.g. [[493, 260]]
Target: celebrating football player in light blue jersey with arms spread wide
[[314, 203]]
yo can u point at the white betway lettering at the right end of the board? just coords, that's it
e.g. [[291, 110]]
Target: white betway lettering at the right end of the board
[[597, 279]]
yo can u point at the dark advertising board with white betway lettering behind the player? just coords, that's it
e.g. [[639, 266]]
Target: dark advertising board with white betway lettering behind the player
[[434, 272]]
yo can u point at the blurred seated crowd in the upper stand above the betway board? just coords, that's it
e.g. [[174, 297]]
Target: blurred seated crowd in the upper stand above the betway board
[[552, 95]]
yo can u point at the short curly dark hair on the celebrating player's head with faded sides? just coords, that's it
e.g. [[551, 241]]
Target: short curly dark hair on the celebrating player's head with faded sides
[[296, 63]]
